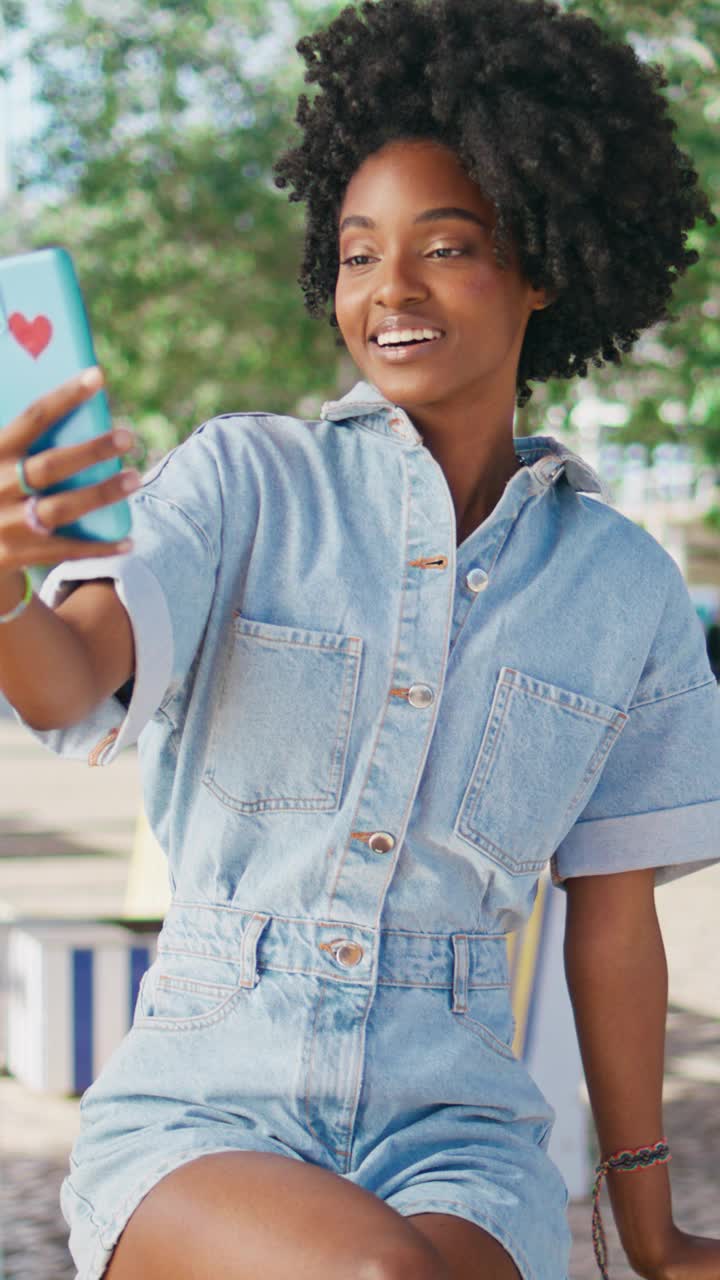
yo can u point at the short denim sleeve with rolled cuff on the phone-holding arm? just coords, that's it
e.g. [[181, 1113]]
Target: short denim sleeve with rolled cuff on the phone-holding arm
[[166, 586]]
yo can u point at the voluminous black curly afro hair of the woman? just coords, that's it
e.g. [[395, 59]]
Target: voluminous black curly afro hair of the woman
[[566, 131]]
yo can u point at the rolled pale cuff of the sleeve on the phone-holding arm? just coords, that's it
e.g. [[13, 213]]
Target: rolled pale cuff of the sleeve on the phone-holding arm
[[110, 728]]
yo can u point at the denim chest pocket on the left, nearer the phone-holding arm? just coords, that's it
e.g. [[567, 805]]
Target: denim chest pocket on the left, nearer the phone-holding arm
[[282, 719]]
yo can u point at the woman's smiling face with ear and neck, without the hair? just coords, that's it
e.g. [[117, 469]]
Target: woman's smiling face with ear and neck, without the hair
[[431, 318]]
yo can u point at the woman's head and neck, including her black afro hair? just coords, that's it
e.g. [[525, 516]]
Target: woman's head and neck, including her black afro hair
[[530, 221]]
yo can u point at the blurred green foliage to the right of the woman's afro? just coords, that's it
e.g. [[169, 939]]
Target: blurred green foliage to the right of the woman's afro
[[669, 382]]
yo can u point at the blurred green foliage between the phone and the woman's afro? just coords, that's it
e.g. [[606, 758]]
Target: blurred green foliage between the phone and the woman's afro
[[154, 170]]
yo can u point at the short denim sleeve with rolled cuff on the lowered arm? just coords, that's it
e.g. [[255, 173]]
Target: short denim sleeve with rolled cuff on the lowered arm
[[658, 799]]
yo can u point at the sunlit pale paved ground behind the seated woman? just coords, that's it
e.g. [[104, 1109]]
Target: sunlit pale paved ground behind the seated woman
[[66, 835]]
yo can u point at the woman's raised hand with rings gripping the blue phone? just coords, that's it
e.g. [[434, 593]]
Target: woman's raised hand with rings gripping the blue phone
[[21, 545]]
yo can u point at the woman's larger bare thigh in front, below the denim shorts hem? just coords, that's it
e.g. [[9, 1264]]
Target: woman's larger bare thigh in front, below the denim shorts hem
[[241, 1215]]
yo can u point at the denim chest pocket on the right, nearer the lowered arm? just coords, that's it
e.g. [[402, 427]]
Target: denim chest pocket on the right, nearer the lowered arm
[[541, 752]]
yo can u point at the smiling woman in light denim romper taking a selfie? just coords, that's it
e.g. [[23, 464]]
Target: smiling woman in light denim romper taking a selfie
[[382, 668]]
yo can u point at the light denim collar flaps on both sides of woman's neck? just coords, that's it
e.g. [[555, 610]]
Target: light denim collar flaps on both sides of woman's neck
[[545, 456]]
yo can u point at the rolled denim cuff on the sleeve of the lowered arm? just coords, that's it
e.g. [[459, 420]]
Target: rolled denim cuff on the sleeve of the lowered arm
[[676, 842]]
